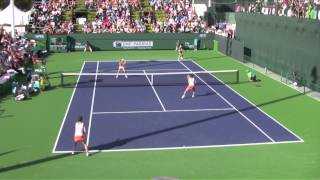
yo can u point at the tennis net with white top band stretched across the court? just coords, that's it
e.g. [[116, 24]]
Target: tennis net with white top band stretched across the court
[[146, 79]]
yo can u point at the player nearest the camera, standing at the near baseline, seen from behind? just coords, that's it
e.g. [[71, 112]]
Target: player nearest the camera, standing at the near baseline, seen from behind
[[79, 133]]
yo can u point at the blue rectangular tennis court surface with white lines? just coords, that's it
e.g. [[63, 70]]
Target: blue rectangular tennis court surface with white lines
[[133, 114]]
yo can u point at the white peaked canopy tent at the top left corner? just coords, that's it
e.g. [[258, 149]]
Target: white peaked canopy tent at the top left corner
[[20, 17]]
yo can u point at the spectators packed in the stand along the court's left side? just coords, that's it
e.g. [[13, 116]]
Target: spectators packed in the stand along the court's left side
[[16, 56]]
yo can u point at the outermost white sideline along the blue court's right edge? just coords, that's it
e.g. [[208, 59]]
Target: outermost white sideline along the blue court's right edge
[[251, 103]]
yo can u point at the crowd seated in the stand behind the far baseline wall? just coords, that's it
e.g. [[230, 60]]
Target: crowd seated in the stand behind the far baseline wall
[[115, 16]]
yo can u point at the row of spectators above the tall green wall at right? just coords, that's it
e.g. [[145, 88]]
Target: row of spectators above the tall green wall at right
[[309, 9]]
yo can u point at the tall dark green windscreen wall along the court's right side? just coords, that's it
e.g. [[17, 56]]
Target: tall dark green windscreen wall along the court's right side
[[287, 46]]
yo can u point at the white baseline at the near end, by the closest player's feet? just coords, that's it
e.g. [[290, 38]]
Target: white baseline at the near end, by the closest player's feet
[[185, 147]]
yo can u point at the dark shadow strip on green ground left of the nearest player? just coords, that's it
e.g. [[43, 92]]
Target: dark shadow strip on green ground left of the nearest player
[[34, 162]]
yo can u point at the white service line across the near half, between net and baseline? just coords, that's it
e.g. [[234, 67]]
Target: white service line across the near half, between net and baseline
[[167, 111]]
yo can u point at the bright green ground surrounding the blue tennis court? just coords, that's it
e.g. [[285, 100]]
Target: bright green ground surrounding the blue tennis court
[[28, 131]]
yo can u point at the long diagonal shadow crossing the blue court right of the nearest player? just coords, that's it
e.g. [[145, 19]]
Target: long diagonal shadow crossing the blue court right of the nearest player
[[121, 142]]
